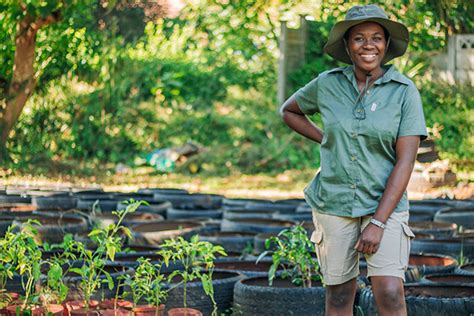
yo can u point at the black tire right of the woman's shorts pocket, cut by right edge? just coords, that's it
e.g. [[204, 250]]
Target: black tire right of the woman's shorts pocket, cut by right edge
[[448, 246]]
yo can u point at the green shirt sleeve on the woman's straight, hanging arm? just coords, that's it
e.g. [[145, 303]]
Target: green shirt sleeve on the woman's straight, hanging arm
[[412, 121]]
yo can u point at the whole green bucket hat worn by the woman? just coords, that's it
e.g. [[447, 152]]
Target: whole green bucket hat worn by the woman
[[398, 33]]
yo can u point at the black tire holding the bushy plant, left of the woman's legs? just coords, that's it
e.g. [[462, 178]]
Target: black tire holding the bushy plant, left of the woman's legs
[[253, 296]]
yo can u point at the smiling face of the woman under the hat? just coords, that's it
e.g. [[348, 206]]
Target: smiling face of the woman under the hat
[[367, 44]]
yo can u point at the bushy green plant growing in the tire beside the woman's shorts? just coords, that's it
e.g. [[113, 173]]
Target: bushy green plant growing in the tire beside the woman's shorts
[[292, 254]]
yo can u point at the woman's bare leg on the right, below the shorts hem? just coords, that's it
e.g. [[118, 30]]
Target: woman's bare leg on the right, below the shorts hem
[[389, 295]]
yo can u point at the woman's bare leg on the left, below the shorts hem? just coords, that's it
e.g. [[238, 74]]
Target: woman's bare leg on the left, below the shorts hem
[[340, 298]]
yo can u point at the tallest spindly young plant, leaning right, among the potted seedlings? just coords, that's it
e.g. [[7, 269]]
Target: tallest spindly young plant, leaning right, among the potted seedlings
[[108, 243]]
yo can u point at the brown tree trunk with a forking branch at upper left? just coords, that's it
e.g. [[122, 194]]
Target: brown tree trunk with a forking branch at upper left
[[23, 79]]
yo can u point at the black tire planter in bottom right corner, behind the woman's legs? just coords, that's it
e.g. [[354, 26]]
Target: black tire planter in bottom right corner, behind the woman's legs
[[428, 300]]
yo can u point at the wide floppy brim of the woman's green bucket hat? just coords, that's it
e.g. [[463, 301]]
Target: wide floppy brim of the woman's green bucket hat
[[399, 38]]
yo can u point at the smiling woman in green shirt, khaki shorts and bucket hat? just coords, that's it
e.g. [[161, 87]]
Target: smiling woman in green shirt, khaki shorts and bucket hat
[[373, 123]]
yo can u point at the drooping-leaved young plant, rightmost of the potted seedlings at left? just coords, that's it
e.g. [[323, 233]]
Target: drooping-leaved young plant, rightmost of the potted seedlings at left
[[197, 258]]
